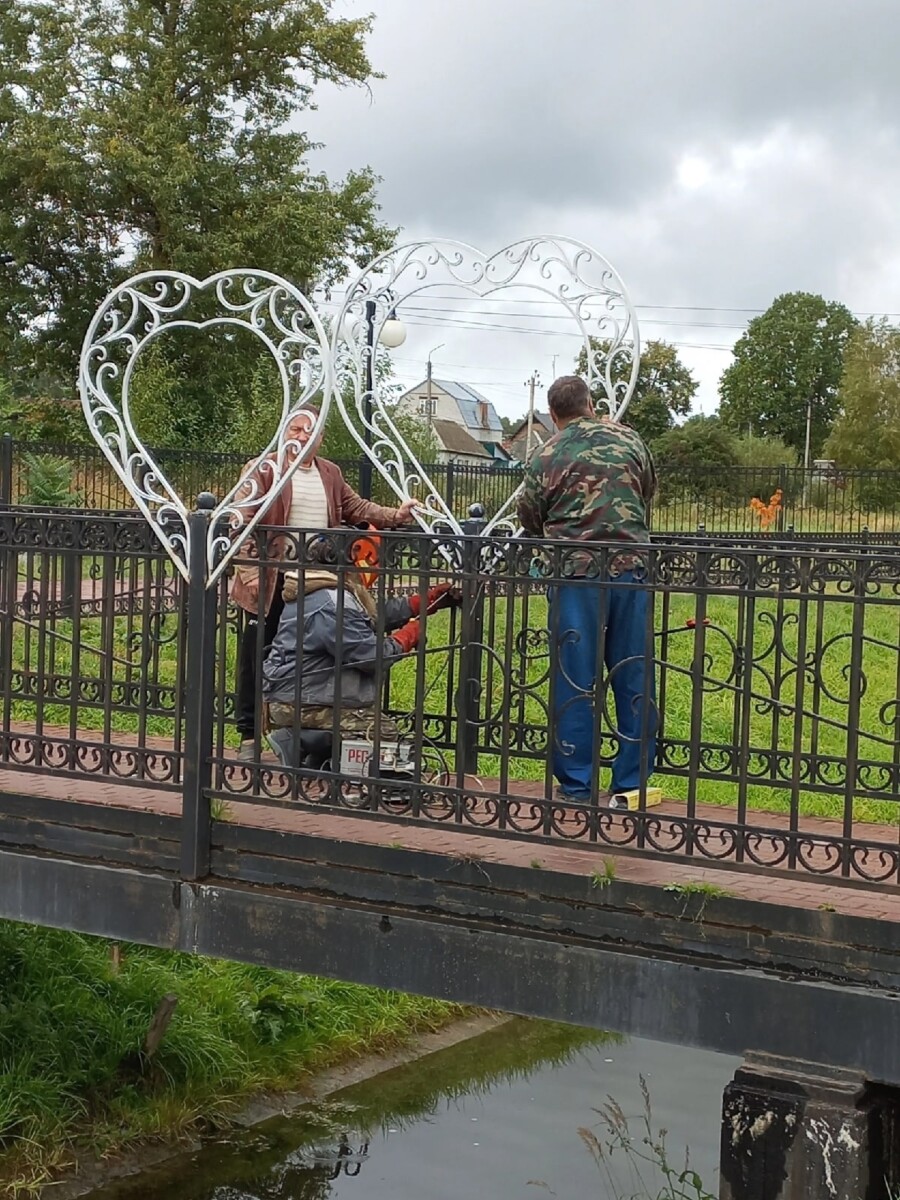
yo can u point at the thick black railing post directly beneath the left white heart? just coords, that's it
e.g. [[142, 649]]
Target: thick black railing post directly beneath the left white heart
[[200, 701]]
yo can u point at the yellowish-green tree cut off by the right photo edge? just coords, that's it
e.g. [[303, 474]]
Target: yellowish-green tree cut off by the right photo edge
[[867, 434]]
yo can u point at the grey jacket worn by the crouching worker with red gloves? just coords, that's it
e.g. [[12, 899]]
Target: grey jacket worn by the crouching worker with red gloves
[[326, 650]]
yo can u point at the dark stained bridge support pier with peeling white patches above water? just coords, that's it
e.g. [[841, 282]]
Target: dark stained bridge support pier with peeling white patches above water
[[801, 1131]]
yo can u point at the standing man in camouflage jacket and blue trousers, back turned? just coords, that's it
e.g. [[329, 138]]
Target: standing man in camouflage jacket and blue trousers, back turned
[[593, 483]]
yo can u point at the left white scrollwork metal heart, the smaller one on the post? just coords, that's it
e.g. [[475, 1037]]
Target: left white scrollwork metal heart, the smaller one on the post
[[131, 319]]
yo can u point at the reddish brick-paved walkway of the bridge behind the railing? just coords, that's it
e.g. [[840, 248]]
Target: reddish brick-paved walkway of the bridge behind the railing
[[795, 887]]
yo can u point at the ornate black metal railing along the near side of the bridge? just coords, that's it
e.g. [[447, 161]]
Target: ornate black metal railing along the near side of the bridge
[[777, 709]]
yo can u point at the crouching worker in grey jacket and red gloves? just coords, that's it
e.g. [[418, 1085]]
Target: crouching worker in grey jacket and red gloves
[[329, 638]]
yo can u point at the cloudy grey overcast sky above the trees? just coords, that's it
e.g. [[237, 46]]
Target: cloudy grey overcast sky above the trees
[[717, 152]]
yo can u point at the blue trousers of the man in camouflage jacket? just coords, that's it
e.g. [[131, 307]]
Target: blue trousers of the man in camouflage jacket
[[580, 614]]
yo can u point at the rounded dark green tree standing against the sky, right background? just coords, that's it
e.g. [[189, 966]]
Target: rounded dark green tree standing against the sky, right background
[[790, 358]]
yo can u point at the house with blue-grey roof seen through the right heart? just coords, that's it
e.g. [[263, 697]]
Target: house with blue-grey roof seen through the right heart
[[446, 404]]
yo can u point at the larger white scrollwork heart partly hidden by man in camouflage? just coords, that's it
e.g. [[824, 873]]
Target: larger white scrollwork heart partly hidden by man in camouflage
[[565, 271]]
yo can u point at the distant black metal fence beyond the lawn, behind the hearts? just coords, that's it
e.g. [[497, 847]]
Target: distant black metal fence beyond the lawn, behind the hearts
[[735, 500]]
